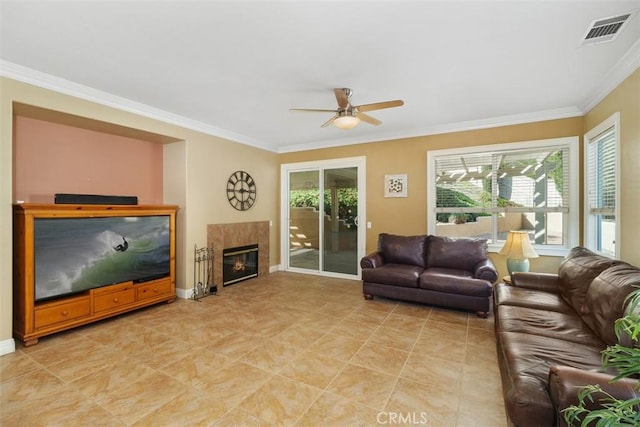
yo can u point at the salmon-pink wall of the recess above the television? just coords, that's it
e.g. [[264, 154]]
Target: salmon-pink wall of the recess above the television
[[52, 158]]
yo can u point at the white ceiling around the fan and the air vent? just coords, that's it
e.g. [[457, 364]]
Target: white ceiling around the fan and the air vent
[[234, 68]]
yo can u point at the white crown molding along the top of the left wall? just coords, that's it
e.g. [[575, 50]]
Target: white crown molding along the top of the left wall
[[67, 87]]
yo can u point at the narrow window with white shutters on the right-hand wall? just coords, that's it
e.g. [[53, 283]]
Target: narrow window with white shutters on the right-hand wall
[[601, 182]]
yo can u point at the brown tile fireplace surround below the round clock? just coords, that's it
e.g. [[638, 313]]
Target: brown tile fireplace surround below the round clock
[[223, 236]]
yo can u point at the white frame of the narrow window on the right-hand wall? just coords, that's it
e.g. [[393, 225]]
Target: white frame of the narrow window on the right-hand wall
[[590, 239]]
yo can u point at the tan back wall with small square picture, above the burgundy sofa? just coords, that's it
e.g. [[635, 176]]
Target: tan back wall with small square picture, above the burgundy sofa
[[409, 215]]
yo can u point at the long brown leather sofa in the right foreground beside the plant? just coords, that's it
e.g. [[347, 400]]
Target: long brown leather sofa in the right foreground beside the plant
[[550, 331]]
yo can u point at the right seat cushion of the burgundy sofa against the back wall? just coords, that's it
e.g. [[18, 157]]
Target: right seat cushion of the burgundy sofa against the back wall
[[454, 282]]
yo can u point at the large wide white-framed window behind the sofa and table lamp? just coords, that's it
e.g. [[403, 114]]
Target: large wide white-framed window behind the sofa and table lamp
[[489, 190]]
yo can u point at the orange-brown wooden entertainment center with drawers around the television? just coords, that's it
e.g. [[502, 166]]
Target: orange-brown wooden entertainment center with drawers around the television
[[34, 319]]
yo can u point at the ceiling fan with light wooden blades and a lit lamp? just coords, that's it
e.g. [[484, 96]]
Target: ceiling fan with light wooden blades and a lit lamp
[[348, 116]]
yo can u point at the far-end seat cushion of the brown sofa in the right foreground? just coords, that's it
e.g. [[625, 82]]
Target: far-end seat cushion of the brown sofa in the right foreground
[[533, 298]]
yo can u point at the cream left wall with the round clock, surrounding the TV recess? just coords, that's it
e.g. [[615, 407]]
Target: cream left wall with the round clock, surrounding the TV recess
[[195, 173]]
